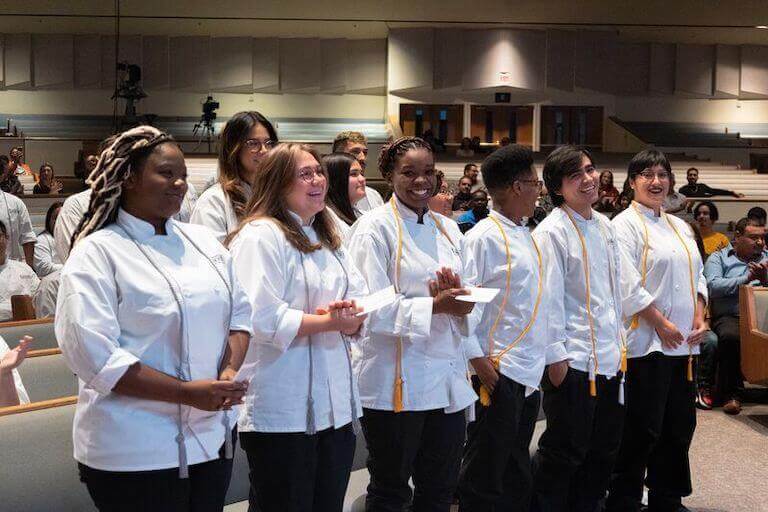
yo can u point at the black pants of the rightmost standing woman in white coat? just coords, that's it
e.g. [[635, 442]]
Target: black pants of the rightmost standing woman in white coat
[[661, 418]]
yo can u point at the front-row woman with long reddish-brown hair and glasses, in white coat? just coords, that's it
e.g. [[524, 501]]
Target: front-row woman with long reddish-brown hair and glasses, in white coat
[[297, 425]]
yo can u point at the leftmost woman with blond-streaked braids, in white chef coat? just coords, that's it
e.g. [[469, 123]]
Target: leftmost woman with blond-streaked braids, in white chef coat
[[153, 322]]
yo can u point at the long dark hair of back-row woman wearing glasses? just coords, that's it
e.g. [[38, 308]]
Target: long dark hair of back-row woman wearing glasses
[[233, 138]]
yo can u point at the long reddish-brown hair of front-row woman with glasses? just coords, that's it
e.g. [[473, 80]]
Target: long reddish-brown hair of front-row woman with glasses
[[274, 181]]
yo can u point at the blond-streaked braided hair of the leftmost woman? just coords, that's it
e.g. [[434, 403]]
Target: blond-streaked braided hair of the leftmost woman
[[123, 154]]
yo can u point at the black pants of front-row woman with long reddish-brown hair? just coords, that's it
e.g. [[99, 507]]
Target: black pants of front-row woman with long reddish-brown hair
[[296, 472]]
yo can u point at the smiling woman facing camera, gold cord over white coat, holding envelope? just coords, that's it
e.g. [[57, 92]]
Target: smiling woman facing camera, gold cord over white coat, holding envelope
[[412, 366]]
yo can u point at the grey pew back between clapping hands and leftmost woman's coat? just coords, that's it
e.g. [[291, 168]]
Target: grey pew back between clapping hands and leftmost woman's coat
[[46, 376]]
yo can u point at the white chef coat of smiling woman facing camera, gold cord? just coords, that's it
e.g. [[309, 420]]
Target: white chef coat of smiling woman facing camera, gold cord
[[434, 358]]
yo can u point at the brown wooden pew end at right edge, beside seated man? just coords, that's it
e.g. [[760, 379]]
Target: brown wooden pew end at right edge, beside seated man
[[753, 327]]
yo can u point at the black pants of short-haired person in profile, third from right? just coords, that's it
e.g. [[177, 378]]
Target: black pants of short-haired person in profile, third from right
[[496, 472]]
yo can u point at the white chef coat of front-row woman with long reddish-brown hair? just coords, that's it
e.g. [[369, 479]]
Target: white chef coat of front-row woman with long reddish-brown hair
[[276, 281]]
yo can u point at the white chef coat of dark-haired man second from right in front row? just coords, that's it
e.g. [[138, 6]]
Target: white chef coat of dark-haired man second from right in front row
[[614, 286]]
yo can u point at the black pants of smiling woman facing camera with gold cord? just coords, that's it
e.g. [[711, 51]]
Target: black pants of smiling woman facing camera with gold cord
[[425, 445]]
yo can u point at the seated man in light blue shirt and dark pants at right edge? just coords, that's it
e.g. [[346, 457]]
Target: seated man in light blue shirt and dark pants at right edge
[[744, 263]]
